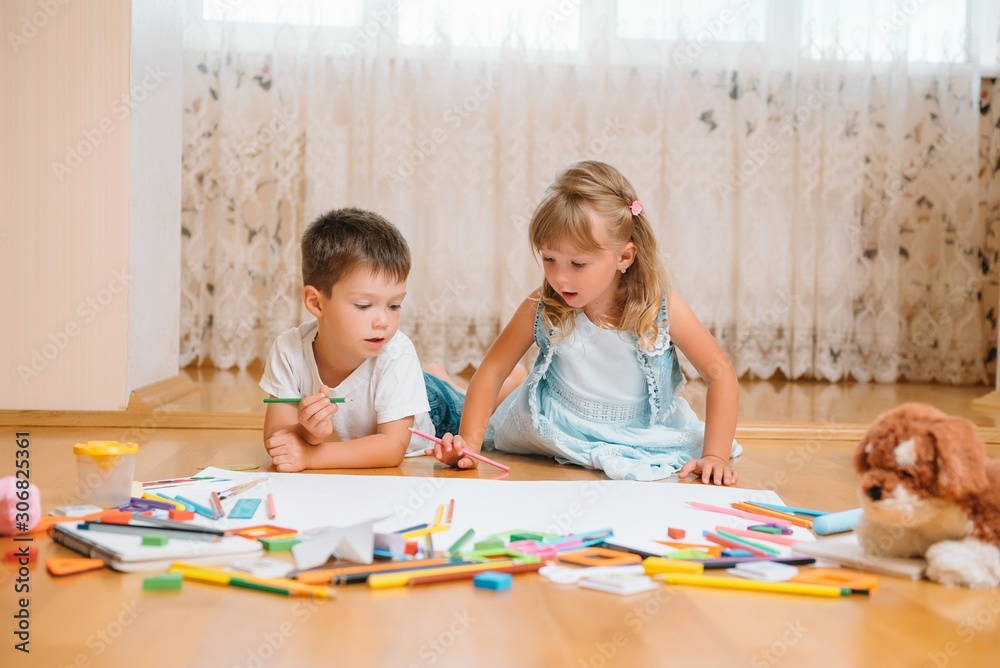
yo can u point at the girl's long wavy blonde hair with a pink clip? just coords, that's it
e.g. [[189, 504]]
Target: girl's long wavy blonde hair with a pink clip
[[587, 191]]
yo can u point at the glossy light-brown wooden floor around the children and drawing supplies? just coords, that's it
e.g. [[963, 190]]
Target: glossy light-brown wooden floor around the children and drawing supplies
[[104, 618]]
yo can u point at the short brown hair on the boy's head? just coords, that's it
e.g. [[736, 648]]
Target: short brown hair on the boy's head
[[342, 240]]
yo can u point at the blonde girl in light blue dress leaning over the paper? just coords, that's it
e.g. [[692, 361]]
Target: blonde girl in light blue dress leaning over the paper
[[604, 391]]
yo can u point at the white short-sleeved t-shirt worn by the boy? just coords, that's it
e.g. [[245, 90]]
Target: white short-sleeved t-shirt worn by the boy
[[387, 387]]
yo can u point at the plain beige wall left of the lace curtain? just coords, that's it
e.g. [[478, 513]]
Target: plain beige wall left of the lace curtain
[[66, 133]]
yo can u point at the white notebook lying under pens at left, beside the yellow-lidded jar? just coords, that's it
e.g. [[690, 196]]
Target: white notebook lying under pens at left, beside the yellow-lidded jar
[[125, 552]]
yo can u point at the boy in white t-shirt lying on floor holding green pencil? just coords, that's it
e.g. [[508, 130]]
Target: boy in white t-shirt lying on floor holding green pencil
[[354, 269]]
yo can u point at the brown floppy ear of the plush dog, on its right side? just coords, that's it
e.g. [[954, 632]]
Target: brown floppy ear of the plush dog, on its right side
[[961, 457]]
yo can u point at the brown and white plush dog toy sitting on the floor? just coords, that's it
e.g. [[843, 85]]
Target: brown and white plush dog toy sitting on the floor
[[928, 489]]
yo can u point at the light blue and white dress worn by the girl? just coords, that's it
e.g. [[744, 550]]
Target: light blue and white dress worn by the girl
[[598, 399]]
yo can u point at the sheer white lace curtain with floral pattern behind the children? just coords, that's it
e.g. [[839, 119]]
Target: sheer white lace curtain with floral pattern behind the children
[[820, 174]]
